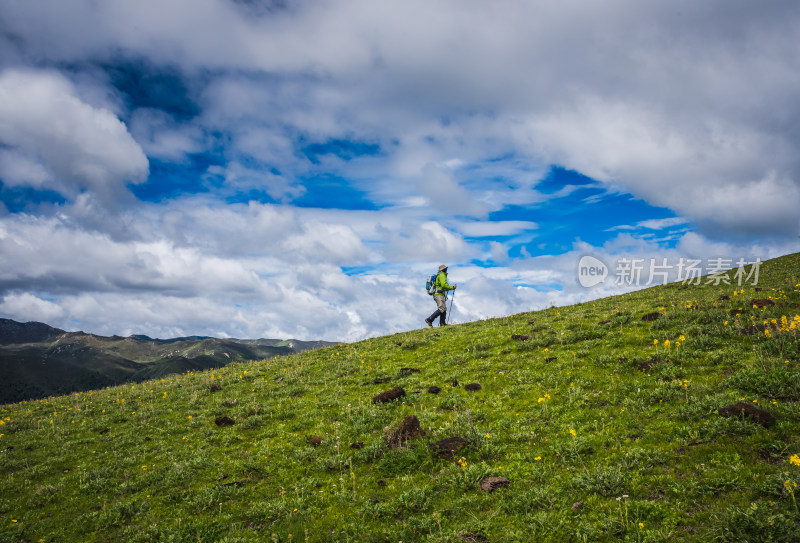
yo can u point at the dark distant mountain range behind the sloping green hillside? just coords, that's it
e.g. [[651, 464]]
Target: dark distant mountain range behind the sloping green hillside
[[37, 360]]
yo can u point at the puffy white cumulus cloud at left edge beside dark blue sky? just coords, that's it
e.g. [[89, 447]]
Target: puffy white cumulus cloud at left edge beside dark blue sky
[[62, 143]]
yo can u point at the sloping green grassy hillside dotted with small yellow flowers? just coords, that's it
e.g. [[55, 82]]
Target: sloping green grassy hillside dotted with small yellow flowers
[[606, 426]]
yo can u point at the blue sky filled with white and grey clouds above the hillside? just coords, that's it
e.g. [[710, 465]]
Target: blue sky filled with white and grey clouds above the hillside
[[254, 169]]
